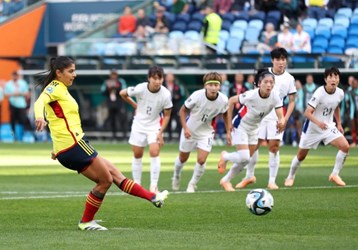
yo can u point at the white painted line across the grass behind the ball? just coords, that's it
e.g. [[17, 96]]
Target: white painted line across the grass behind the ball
[[55, 195]]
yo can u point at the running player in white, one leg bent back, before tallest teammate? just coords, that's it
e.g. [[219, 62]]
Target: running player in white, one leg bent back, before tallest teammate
[[255, 105]]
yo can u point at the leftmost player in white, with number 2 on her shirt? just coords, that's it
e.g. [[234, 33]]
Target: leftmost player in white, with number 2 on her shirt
[[152, 99]]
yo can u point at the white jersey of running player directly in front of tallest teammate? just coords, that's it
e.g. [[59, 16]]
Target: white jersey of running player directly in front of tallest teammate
[[255, 108]]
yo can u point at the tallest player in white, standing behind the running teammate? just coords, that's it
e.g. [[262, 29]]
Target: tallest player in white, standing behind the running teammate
[[285, 85]]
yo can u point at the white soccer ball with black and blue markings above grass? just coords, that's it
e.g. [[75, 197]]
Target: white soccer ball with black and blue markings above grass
[[259, 201]]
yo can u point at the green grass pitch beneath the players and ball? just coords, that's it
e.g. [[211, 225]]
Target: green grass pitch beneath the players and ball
[[41, 203]]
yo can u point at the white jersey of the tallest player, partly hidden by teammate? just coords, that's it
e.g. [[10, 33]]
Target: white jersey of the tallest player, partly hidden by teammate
[[284, 85]]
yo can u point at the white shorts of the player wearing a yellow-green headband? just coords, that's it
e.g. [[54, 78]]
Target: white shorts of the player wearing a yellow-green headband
[[188, 145]]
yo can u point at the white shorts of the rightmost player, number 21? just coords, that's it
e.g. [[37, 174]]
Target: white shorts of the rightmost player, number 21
[[312, 140]]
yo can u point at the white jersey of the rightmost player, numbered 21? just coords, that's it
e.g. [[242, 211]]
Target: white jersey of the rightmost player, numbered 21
[[324, 105]]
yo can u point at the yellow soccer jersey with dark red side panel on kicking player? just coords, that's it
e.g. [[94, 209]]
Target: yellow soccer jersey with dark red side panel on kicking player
[[61, 112]]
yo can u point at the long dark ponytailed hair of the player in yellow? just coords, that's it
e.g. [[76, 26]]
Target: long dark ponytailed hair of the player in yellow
[[56, 63]]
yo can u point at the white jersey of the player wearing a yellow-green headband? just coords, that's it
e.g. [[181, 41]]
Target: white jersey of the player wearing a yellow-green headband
[[203, 111]]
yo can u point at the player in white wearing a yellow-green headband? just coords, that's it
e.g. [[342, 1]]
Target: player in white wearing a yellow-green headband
[[197, 131]]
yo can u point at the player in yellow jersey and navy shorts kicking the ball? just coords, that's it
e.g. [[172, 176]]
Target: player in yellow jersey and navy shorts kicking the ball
[[56, 108]]
